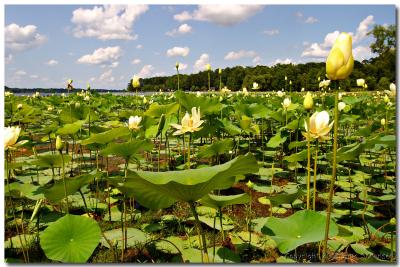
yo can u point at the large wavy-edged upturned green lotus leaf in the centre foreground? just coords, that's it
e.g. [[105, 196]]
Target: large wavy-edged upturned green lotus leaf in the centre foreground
[[156, 190]]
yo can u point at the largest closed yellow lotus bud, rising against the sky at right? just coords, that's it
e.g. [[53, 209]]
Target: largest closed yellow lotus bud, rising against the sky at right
[[340, 61]]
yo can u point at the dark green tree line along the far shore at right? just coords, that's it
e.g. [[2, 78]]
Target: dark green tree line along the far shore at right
[[378, 72]]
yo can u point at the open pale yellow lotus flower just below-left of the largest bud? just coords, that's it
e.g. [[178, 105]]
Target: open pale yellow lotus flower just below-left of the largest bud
[[319, 126]]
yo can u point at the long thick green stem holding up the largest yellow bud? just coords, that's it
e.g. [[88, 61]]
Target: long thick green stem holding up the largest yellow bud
[[328, 212]]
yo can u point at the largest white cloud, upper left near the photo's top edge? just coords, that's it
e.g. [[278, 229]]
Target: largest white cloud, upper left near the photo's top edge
[[107, 22]]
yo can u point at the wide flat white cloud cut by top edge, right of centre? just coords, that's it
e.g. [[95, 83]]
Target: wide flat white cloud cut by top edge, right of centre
[[225, 15]]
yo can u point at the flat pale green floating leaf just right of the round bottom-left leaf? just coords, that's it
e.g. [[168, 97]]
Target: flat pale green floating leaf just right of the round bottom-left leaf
[[134, 237]]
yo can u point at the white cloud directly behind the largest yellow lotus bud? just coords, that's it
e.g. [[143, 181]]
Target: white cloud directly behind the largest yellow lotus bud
[[321, 50]]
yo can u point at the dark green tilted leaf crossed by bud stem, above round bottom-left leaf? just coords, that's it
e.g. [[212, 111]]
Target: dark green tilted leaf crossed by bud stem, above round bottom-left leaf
[[56, 193]]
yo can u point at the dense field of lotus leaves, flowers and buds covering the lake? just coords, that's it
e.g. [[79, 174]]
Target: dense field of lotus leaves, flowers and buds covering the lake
[[202, 177]]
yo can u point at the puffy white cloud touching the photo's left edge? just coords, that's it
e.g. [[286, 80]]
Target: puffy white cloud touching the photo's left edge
[[19, 38]]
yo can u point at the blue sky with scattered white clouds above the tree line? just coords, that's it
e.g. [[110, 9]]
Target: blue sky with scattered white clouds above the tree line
[[45, 45]]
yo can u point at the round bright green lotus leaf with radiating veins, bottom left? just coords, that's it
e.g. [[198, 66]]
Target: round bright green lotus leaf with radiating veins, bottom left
[[71, 239]]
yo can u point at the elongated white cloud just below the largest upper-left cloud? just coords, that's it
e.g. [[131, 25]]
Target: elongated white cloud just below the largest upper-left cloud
[[106, 55]]
